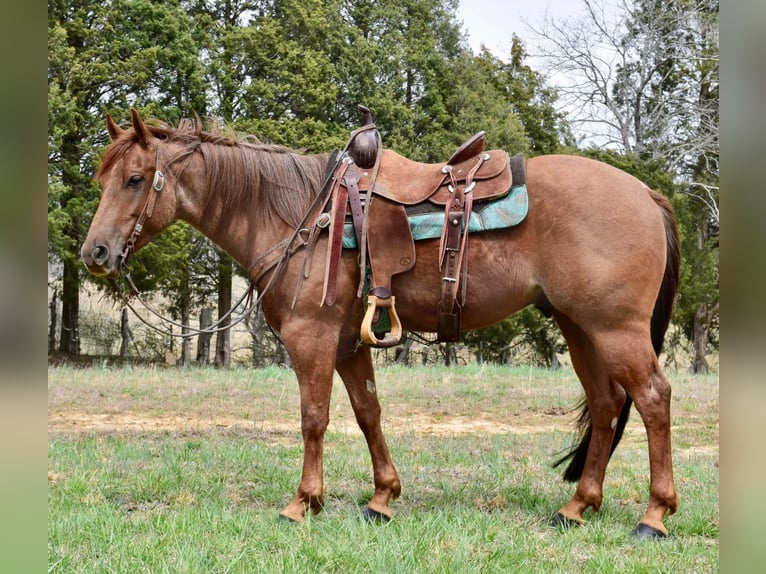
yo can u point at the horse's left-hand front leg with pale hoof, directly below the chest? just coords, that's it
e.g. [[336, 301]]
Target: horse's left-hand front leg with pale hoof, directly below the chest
[[313, 364]]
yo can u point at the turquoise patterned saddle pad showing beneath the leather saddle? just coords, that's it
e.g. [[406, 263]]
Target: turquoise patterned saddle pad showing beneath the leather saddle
[[509, 210]]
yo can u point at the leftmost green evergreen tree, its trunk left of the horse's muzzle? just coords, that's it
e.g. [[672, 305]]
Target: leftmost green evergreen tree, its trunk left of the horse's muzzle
[[99, 55]]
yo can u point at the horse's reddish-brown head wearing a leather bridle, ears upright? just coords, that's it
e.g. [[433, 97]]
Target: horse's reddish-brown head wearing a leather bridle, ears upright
[[137, 200]]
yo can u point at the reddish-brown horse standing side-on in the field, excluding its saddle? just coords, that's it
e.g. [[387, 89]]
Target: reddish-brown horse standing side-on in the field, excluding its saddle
[[598, 251]]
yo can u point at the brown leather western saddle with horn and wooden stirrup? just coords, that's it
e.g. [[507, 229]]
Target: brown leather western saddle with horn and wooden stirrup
[[375, 189]]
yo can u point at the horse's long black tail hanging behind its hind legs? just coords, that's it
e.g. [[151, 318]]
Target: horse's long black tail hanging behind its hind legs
[[663, 307]]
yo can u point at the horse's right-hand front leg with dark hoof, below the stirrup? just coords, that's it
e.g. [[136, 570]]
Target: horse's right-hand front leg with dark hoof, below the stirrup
[[358, 377]]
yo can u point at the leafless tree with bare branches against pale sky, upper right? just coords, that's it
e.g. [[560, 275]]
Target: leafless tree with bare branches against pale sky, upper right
[[642, 78]]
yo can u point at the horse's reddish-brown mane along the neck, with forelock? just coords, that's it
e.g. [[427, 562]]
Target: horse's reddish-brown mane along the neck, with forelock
[[266, 179]]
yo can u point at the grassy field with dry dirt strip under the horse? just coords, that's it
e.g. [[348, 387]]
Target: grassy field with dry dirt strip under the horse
[[185, 471]]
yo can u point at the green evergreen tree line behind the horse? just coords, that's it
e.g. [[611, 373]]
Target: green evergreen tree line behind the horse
[[293, 72]]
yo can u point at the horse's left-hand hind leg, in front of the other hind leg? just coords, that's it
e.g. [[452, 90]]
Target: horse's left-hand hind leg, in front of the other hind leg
[[605, 400]]
